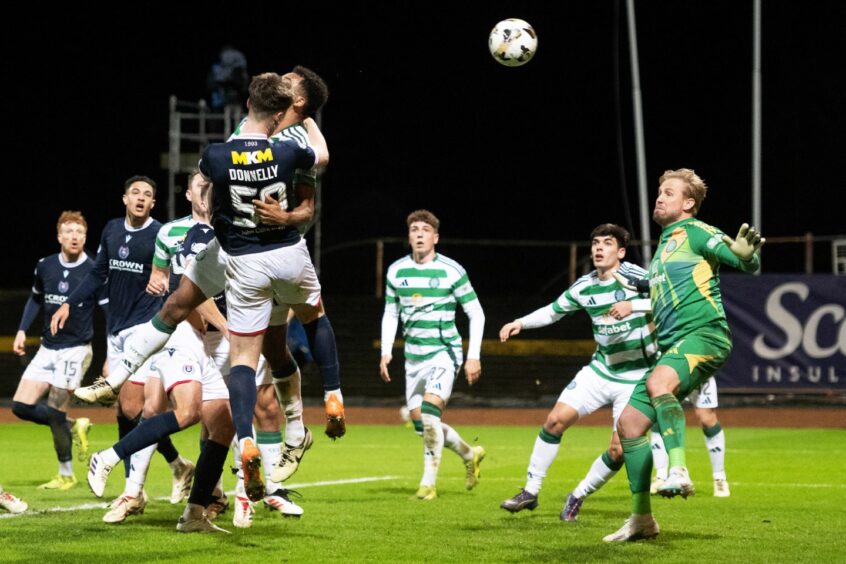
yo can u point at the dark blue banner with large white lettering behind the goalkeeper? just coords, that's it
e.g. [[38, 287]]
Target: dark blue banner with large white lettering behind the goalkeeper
[[789, 332]]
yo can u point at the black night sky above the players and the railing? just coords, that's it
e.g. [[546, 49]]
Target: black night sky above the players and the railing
[[421, 116]]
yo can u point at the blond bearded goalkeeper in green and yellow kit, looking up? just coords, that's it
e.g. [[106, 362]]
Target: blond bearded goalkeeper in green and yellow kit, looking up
[[693, 337]]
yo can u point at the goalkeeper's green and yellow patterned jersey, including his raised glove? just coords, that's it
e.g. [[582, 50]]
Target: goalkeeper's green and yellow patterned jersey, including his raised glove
[[684, 279]]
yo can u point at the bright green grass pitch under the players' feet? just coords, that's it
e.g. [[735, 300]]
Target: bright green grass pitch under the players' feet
[[788, 494]]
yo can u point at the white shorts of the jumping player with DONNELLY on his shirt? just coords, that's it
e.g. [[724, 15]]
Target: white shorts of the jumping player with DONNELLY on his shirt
[[252, 280]]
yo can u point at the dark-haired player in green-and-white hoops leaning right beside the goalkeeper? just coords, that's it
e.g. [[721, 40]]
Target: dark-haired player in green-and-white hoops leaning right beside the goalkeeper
[[625, 349]]
